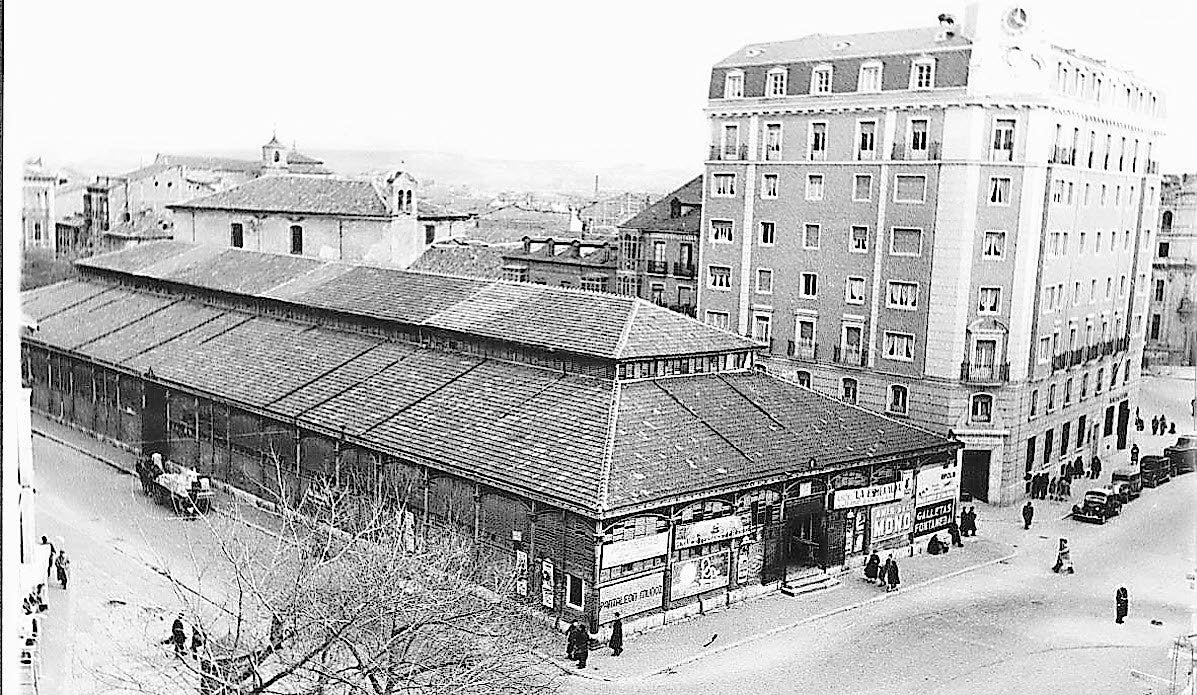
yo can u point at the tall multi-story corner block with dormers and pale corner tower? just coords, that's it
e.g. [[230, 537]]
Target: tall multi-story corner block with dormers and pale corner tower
[[952, 224]]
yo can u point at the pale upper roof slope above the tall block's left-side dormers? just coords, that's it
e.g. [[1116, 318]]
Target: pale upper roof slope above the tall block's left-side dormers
[[828, 47]]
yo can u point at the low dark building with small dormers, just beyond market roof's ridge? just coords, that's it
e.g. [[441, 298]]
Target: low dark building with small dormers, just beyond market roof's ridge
[[588, 265]]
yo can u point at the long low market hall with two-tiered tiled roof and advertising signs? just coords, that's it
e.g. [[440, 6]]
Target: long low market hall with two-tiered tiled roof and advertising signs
[[611, 454]]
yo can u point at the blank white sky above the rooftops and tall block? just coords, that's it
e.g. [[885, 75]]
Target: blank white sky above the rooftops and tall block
[[596, 83]]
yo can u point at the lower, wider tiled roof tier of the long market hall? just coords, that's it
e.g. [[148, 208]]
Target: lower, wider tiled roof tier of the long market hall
[[533, 432]]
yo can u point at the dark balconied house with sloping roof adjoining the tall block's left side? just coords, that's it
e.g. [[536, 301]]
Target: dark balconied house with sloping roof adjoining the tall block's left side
[[659, 251]]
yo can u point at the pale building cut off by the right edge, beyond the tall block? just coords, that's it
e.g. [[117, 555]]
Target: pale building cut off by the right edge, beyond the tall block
[[1172, 313]]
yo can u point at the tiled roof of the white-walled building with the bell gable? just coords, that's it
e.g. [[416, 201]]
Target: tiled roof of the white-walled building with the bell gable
[[296, 194]]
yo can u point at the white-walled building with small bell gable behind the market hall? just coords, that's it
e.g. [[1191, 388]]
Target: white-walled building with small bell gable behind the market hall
[[324, 217]]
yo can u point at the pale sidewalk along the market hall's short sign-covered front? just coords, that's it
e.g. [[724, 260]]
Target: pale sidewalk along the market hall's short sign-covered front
[[739, 625]]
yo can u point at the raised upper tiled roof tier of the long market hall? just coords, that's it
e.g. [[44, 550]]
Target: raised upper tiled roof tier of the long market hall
[[558, 319]]
